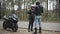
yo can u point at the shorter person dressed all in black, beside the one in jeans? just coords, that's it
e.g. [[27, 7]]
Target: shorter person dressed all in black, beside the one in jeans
[[31, 18]]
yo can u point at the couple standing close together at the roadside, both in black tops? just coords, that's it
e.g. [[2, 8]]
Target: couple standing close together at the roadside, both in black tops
[[35, 15]]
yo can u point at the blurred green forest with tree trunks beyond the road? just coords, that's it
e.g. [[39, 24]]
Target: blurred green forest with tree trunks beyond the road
[[20, 7]]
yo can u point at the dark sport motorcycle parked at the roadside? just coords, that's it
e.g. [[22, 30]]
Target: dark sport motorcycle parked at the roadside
[[10, 22]]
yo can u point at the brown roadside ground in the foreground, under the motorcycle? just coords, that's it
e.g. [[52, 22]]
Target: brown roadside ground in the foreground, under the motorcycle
[[23, 31]]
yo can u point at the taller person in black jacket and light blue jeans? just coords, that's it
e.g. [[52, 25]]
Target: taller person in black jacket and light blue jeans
[[38, 11]]
